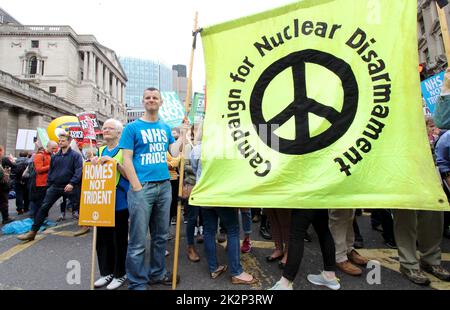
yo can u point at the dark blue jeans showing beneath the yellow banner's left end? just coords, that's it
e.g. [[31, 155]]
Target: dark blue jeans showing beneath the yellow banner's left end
[[229, 218]]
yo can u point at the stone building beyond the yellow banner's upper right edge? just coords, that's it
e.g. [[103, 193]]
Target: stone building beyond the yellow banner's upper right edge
[[431, 44]]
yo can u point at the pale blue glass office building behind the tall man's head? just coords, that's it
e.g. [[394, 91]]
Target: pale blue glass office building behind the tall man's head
[[143, 74]]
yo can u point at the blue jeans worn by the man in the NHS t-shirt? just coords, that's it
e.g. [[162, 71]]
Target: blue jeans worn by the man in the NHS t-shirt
[[149, 205]]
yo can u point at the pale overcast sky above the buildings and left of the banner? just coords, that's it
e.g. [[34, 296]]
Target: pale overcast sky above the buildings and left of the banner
[[159, 30]]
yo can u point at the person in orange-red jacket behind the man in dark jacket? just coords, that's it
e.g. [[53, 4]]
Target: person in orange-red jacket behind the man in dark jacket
[[38, 172]]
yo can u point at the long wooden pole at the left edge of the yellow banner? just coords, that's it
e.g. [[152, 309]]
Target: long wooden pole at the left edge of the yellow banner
[[180, 187]]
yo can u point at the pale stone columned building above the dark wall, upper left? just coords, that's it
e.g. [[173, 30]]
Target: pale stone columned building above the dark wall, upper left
[[76, 68]]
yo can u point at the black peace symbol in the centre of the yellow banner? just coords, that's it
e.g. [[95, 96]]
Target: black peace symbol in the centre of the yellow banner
[[302, 105]]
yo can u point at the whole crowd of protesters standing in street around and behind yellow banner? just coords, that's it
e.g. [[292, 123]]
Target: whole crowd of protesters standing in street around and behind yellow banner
[[147, 196]]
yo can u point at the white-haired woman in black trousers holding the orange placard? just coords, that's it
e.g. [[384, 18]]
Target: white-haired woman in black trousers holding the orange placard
[[112, 242]]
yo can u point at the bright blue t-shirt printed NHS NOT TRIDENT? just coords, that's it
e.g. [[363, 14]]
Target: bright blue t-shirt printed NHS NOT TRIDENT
[[149, 142]]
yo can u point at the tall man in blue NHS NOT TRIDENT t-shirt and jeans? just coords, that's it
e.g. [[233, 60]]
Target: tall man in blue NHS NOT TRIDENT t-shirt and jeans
[[145, 143]]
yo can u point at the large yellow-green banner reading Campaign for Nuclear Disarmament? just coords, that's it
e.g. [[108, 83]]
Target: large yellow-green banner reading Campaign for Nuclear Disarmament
[[317, 105]]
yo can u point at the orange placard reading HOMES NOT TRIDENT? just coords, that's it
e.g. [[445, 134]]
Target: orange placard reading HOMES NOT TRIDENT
[[98, 195]]
